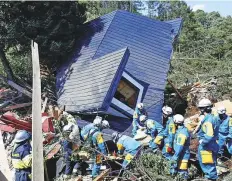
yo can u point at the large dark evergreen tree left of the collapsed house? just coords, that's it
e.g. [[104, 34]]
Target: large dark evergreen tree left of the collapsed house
[[53, 25]]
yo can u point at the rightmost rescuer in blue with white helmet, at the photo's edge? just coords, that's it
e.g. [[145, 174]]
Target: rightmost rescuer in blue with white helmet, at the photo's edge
[[225, 130]]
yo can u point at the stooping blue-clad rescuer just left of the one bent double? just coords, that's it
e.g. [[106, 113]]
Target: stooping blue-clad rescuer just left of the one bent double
[[95, 135]]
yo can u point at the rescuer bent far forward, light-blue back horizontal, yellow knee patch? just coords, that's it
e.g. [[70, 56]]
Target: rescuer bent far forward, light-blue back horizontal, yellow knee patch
[[127, 144]]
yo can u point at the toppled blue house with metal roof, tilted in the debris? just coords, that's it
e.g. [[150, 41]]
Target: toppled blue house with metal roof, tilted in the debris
[[121, 59]]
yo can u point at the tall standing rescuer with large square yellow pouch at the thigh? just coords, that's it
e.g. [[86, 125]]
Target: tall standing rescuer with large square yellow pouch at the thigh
[[208, 147]]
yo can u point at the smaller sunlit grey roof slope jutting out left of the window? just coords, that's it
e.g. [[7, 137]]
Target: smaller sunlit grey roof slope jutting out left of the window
[[86, 92]]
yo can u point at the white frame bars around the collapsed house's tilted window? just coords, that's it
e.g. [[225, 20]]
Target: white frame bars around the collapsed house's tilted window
[[123, 106]]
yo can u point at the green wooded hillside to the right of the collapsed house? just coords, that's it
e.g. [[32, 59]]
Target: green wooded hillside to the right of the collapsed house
[[204, 49]]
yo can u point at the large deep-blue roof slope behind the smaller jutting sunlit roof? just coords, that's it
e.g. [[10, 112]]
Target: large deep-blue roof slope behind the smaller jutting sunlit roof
[[150, 46]]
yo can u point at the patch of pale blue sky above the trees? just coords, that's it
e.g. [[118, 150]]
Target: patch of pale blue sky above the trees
[[224, 7]]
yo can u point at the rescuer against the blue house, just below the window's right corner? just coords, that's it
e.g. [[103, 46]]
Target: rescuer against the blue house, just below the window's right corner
[[139, 110]]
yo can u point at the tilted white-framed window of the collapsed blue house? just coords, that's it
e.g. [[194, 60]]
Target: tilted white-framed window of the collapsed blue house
[[128, 94]]
